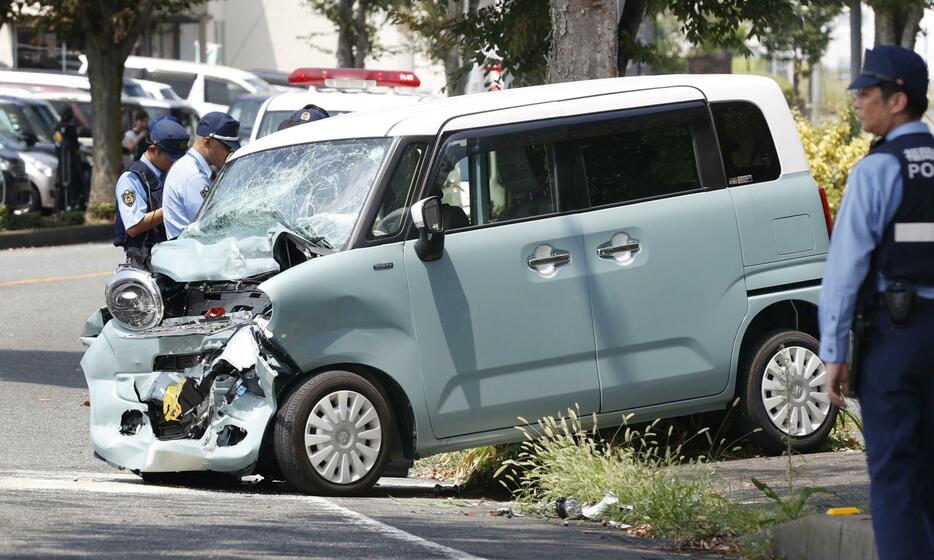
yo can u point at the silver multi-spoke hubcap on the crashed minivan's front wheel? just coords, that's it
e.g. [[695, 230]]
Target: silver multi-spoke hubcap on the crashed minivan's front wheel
[[343, 437]]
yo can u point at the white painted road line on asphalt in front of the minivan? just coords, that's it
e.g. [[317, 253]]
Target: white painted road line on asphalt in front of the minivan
[[126, 484]]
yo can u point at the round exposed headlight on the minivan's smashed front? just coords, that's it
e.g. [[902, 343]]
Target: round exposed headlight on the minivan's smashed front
[[133, 298]]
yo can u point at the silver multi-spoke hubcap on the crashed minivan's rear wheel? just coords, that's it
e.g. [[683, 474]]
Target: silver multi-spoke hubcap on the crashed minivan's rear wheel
[[794, 391]]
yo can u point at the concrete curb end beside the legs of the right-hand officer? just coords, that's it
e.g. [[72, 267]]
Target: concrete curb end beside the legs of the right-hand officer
[[825, 537]]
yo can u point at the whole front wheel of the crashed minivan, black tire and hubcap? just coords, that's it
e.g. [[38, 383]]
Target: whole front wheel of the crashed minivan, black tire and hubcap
[[343, 457]]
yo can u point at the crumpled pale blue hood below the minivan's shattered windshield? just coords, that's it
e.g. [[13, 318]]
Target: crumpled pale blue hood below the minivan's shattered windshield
[[193, 260]]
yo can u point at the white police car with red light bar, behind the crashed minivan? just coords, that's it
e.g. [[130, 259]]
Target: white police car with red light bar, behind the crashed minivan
[[337, 91]]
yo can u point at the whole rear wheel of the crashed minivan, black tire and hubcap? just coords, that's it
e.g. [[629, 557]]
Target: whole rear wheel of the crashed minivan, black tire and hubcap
[[770, 408]]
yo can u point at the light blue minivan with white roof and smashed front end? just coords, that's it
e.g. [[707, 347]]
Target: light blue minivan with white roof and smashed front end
[[373, 288]]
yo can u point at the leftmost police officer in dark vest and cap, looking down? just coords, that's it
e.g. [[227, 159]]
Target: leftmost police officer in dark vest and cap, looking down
[[138, 225]]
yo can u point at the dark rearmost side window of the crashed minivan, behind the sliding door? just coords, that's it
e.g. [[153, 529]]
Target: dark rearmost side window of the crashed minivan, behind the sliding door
[[746, 144]]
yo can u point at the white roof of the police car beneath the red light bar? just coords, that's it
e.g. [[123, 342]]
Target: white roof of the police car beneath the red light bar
[[343, 101]]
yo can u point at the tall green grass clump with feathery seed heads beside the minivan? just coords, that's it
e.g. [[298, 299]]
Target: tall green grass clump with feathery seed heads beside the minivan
[[670, 495]]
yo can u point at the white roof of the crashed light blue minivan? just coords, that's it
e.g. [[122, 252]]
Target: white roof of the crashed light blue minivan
[[430, 117]]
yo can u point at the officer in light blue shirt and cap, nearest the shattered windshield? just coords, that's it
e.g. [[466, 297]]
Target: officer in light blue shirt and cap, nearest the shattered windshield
[[189, 181]]
